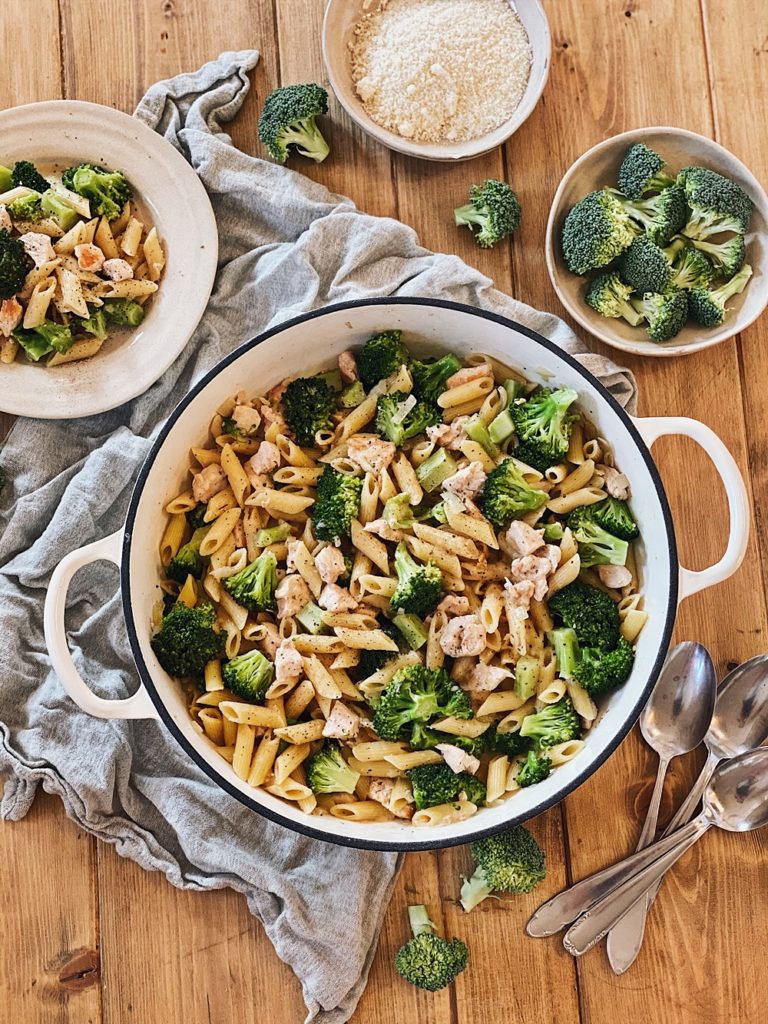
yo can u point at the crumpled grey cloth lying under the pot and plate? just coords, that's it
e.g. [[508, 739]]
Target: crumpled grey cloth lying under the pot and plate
[[287, 245]]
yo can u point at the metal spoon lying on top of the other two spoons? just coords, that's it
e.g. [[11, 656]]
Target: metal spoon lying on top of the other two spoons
[[737, 800]]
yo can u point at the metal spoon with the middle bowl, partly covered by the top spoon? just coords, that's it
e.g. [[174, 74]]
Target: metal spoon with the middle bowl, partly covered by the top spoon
[[739, 724]]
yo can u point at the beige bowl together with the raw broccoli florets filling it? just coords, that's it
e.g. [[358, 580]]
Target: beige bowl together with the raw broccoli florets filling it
[[657, 243]]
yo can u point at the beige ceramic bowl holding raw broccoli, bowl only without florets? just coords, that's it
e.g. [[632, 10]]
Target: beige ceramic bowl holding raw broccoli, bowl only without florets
[[600, 167]]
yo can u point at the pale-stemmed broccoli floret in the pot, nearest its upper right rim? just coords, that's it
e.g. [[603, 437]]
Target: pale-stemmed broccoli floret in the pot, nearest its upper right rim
[[543, 424]]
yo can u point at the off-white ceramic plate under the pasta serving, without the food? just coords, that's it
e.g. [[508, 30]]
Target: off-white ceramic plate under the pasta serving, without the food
[[72, 133]]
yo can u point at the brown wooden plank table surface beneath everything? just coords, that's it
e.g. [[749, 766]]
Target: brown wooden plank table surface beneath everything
[[89, 937]]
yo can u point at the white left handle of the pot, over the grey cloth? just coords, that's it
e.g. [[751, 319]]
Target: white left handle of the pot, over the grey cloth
[[138, 706]]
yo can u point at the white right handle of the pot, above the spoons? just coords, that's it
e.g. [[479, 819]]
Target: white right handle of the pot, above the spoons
[[692, 582]]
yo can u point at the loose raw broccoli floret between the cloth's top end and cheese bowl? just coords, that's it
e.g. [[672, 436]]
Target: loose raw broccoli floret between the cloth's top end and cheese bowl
[[288, 119]]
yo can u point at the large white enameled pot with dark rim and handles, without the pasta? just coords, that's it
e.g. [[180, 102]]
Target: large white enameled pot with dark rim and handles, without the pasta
[[313, 343]]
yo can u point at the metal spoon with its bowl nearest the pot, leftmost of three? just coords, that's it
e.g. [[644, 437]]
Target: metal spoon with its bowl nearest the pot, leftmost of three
[[673, 722]]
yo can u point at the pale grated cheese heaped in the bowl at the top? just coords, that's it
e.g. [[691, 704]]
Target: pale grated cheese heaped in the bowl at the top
[[438, 71]]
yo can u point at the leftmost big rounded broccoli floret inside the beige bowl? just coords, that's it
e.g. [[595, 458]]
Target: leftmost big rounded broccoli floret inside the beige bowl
[[596, 231]]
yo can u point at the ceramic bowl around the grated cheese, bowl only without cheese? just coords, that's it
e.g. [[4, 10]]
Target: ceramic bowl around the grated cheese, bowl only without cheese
[[338, 28]]
